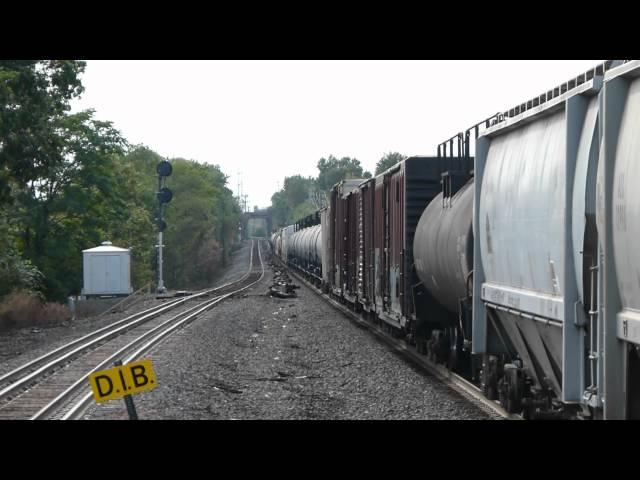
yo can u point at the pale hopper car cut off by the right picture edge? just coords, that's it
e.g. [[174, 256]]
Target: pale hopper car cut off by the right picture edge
[[615, 323]]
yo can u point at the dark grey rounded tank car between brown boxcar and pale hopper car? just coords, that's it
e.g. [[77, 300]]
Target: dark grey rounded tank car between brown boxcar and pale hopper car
[[443, 254]]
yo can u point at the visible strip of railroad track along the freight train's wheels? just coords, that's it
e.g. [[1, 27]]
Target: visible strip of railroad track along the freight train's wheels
[[449, 378]]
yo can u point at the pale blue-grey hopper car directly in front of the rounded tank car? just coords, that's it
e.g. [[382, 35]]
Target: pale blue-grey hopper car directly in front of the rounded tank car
[[529, 297]]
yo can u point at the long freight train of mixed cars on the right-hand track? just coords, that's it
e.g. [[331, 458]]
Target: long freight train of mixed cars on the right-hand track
[[517, 266]]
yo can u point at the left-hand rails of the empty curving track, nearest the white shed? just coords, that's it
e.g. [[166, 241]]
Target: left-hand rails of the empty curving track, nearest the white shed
[[24, 375]]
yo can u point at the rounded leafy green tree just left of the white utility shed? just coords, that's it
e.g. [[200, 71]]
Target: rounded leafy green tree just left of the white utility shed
[[71, 205]]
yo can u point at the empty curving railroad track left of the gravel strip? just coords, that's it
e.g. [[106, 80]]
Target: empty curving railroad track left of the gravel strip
[[55, 386]]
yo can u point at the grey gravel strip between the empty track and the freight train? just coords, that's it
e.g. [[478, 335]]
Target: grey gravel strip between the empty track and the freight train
[[257, 357]]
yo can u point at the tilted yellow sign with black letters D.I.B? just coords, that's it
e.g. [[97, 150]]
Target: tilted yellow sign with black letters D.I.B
[[135, 377]]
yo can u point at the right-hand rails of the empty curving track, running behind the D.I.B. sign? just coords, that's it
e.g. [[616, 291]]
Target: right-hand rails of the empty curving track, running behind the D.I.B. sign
[[161, 332]]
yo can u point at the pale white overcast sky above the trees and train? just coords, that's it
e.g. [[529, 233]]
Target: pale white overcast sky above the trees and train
[[271, 119]]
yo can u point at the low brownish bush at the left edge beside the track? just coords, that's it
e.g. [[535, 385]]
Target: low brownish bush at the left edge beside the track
[[21, 309]]
